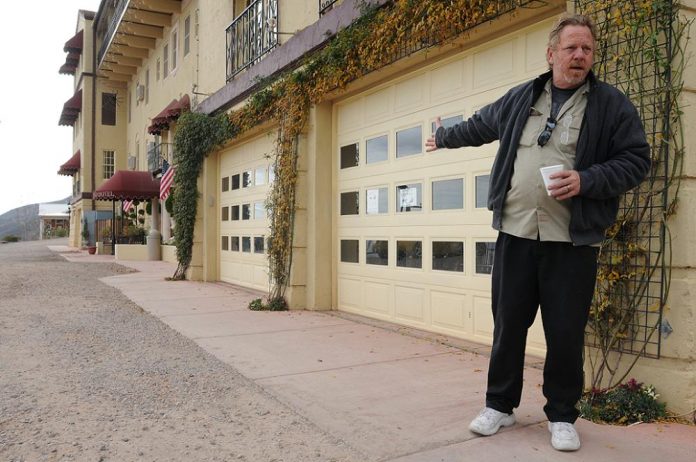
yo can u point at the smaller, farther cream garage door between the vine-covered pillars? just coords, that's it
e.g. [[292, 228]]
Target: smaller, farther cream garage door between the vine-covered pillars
[[245, 175]]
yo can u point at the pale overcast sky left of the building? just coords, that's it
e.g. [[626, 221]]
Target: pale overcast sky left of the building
[[32, 144]]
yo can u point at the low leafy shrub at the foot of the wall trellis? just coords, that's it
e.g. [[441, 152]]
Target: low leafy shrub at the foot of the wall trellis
[[628, 403]]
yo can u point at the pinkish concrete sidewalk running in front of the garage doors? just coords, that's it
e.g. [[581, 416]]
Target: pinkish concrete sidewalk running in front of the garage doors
[[392, 393]]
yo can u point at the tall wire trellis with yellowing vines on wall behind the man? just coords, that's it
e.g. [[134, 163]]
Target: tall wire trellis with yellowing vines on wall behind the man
[[639, 51]]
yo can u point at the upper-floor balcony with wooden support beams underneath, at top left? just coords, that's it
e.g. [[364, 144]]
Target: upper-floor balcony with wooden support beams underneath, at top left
[[127, 30]]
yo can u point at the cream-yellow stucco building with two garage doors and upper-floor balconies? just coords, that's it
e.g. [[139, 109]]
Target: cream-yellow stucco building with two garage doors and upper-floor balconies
[[382, 229]]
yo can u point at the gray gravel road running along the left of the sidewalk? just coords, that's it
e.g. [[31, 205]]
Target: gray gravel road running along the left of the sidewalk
[[86, 375]]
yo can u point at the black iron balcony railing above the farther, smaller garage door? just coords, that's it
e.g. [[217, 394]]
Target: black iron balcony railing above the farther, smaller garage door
[[251, 35]]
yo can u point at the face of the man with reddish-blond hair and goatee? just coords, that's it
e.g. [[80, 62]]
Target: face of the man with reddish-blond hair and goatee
[[571, 59]]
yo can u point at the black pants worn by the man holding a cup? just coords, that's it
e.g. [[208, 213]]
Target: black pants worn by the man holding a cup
[[560, 278]]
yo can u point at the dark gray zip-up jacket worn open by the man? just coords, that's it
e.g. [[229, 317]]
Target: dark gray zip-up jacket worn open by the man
[[612, 154]]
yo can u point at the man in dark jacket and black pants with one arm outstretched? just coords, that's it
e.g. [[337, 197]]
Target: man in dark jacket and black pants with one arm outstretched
[[546, 251]]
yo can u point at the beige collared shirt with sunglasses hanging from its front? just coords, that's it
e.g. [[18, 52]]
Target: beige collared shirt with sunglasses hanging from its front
[[529, 212]]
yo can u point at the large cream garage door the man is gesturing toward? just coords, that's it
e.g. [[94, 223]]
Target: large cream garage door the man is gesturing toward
[[414, 243]]
